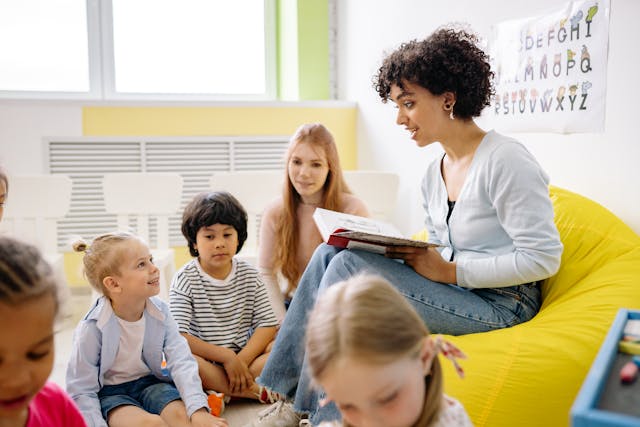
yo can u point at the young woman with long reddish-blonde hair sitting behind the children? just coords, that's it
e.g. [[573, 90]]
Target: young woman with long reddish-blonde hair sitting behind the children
[[288, 235]]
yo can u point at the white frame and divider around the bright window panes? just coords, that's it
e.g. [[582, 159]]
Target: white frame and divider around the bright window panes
[[102, 65]]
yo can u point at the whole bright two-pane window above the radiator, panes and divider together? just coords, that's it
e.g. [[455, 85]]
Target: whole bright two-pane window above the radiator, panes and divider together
[[142, 49]]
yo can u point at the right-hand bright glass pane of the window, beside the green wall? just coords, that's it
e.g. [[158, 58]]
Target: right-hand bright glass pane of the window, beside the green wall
[[189, 47]]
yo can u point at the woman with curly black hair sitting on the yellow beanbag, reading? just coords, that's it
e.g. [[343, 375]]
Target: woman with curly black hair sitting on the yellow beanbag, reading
[[487, 205]]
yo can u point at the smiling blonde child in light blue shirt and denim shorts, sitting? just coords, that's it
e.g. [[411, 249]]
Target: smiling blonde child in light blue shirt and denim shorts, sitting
[[117, 373]]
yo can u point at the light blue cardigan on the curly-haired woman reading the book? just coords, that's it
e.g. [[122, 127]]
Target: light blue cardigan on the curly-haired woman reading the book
[[501, 231]]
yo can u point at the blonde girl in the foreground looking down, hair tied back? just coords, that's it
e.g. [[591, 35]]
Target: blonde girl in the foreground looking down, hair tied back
[[373, 356]]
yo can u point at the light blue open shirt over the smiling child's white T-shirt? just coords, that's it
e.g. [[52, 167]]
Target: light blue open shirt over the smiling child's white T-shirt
[[95, 344]]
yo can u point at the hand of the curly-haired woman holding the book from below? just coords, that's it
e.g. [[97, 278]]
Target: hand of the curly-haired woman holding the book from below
[[427, 262]]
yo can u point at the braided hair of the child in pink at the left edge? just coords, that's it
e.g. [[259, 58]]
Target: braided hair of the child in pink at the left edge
[[25, 274]]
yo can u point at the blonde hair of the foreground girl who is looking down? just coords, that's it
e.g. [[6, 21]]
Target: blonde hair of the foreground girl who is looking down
[[366, 318]]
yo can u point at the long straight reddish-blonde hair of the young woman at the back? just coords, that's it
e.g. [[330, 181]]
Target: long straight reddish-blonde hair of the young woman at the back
[[286, 227]]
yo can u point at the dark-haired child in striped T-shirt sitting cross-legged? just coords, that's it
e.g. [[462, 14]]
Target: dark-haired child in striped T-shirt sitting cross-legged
[[219, 302]]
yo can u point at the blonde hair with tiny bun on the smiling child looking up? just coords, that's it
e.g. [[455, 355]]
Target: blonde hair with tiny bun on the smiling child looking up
[[103, 257]]
